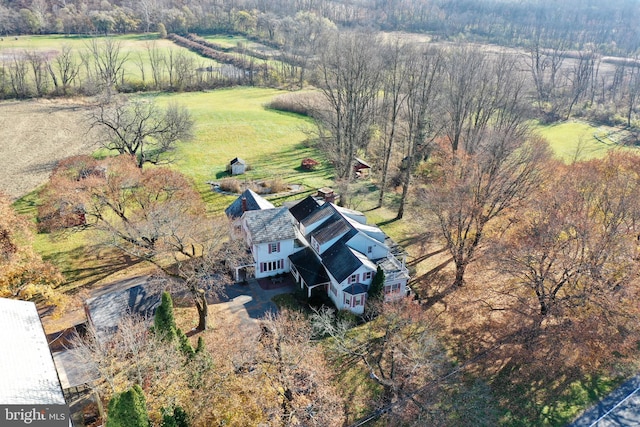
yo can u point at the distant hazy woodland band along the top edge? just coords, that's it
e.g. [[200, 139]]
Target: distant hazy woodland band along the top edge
[[610, 25]]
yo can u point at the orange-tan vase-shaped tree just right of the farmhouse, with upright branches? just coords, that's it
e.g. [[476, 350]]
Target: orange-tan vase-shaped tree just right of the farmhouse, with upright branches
[[468, 191]]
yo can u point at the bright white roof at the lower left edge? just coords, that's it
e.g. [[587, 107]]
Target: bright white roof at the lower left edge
[[27, 372]]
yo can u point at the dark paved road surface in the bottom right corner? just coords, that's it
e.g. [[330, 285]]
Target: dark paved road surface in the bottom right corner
[[620, 408]]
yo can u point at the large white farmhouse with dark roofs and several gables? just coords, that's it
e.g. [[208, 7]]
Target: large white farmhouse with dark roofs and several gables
[[327, 247]]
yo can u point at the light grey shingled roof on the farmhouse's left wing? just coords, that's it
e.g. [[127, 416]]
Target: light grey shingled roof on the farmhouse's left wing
[[270, 225]]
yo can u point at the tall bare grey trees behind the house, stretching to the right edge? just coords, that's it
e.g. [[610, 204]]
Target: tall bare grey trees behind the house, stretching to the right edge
[[396, 102]]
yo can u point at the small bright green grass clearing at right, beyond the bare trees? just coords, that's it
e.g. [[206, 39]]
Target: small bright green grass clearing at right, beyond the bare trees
[[576, 140]]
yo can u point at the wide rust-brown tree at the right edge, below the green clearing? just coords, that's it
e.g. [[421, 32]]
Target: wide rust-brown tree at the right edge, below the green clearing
[[574, 249]]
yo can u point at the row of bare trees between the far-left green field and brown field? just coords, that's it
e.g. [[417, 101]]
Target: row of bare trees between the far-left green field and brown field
[[101, 65]]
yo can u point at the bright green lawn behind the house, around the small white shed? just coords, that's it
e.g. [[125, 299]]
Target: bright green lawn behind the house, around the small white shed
[[235, 123]]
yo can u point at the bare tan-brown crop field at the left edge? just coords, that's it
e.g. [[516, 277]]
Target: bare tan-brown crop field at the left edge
[[34, 136]]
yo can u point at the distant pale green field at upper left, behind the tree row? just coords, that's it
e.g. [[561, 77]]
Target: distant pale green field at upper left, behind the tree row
[[134, 45]]
